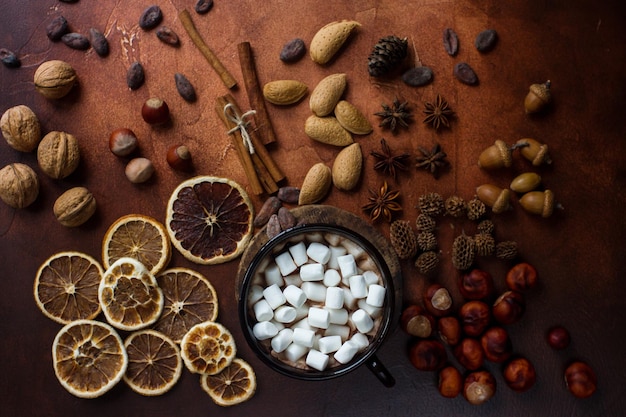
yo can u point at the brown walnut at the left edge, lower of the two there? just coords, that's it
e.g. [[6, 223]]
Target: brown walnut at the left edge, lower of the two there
[[19, 185]]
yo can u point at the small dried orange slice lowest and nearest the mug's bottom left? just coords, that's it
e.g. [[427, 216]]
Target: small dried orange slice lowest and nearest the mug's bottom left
[[234, 385]]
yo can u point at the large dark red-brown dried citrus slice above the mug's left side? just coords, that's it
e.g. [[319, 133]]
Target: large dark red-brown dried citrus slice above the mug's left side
[[209, 219]]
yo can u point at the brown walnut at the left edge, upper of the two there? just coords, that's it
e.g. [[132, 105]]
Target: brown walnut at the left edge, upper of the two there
[[21, 129]]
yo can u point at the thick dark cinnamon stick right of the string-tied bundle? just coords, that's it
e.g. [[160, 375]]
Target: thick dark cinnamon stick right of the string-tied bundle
[[255, 93]]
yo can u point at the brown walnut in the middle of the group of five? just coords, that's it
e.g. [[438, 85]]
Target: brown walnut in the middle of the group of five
[[58, 154]]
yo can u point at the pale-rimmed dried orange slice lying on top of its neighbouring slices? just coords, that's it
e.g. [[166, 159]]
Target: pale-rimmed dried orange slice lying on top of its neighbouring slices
[[129, 295]]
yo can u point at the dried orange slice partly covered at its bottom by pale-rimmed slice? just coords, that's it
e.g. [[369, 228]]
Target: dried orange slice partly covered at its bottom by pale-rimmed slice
[[140, 237]]
